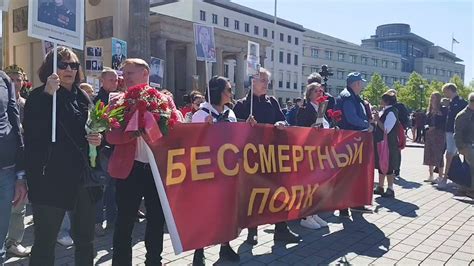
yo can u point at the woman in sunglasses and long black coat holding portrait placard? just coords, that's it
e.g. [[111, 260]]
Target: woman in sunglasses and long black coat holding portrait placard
[[55, 170]]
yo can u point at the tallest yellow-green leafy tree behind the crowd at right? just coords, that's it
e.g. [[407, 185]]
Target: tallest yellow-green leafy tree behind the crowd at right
[[413, 94]]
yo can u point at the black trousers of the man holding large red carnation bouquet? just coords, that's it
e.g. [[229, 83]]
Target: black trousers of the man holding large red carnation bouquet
[[129, 193]]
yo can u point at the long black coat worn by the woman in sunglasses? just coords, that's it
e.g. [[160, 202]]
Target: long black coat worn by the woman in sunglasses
[[54, 170]]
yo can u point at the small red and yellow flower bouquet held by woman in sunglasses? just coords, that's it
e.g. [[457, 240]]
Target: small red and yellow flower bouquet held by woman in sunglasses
[[102, 118]]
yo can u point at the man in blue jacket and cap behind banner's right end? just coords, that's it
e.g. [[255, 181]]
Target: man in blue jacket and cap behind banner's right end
[[355, 116]]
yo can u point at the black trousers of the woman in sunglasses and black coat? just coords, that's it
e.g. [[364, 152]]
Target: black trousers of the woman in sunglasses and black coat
[[48, 220]]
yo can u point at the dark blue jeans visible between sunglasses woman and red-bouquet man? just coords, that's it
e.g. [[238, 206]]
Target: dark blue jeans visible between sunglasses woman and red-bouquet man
[[107, 202]]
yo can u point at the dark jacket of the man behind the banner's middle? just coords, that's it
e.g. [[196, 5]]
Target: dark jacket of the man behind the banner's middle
[[266, 109]]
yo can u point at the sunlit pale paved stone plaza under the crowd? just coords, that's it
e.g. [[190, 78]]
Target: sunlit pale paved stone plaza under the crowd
[[421, 226]]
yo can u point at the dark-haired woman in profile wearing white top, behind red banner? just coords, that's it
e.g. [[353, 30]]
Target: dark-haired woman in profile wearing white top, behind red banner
[[220, 95]]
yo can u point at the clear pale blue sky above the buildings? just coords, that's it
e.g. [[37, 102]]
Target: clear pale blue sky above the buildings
[[354, 20]]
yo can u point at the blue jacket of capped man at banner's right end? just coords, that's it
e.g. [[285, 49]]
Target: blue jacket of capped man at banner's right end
[[354, 116]]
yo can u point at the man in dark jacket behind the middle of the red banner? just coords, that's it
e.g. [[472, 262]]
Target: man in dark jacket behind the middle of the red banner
[[265, 110]]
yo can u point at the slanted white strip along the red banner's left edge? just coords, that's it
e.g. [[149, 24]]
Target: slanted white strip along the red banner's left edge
[[165, 205]]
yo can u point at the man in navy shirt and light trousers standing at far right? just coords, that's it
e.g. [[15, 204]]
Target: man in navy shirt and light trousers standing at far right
[[456, 105]]
